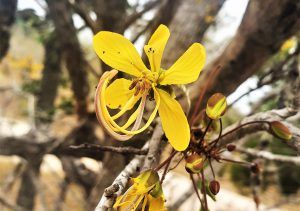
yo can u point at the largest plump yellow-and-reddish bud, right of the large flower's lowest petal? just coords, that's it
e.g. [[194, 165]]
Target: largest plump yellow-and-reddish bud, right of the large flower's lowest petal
[[216, 106]]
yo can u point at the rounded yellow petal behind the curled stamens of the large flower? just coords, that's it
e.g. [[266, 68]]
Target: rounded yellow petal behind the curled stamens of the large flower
[[118, 94]]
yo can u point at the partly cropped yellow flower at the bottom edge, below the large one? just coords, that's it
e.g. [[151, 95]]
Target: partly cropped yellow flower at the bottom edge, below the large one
[[145, 192]]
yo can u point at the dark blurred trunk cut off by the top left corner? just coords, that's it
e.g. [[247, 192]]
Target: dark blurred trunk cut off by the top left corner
[[7, 18]]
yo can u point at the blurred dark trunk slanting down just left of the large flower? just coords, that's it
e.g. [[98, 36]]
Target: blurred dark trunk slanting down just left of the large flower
[[61, 15]]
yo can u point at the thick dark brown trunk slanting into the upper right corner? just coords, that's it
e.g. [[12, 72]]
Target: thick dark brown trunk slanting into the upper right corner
[[260, 35]]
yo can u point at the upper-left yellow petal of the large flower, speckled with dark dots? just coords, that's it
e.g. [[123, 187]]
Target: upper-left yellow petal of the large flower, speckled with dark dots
[[118, 52]]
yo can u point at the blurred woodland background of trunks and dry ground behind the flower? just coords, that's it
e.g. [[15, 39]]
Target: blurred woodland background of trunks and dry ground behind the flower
[[48, 74]]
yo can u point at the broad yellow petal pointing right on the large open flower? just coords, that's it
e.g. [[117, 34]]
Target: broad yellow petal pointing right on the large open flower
[[187, 68]]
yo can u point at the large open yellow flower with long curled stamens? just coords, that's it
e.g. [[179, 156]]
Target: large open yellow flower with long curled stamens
[[120, 54]]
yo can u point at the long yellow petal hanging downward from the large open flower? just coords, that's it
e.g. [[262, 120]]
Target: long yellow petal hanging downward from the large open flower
[[174, 121]]
